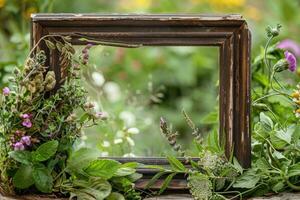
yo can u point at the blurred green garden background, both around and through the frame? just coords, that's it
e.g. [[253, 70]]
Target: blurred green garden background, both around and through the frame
[[137, 86]]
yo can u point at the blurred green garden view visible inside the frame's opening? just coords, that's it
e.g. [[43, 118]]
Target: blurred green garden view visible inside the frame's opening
[[137, 86]]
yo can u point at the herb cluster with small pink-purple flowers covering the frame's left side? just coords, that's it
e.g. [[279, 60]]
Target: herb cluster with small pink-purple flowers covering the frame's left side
[[41, 119]]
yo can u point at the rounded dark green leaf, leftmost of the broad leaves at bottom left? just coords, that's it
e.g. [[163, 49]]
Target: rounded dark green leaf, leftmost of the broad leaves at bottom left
[[23, 178]]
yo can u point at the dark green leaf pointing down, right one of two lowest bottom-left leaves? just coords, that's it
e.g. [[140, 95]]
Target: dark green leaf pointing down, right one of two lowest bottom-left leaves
[[42, 179]]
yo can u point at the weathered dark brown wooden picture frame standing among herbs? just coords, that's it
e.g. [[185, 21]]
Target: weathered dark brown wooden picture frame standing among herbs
[[229, 32]]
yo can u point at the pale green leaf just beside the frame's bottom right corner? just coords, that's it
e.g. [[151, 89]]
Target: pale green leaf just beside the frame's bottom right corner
[[247, 180]]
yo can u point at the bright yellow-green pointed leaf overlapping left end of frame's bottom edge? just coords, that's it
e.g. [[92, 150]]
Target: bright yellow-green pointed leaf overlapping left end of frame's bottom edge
[[103, 168]]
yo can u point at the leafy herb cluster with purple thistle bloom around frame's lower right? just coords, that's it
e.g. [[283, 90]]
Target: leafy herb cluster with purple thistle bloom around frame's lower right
[[275, 137]]
